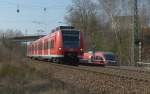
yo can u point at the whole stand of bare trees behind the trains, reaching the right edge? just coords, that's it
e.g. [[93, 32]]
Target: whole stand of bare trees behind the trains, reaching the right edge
[[110, 23]]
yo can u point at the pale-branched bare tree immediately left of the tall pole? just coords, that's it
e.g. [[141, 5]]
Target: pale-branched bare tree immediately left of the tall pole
[[118, 13]]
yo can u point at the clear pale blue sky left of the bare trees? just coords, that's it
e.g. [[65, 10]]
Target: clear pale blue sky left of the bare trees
[[32, 16]]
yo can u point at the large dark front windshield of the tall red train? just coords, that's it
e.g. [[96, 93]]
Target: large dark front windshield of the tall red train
[[71, 39]]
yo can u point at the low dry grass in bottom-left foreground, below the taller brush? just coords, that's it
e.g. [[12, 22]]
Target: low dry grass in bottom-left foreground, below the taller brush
[[22, 78]]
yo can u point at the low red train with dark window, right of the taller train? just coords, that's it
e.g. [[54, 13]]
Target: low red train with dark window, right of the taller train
[[99, 58]]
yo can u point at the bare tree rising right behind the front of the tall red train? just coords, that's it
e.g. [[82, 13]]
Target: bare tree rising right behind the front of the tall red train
[[83, 15]]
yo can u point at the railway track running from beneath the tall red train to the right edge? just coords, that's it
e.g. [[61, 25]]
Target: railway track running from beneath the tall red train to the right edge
[[127, 74]]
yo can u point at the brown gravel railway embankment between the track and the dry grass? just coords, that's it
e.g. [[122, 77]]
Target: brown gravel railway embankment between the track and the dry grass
[[94, 82]]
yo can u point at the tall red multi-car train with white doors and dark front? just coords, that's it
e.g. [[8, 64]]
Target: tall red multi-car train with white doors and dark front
[[63, 44]]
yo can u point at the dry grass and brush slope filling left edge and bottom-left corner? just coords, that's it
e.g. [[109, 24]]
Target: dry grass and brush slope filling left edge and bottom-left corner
[[18, 76]]
